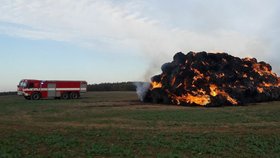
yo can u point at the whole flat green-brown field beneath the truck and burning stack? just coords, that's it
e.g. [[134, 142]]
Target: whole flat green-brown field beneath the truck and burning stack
[[116, 124]]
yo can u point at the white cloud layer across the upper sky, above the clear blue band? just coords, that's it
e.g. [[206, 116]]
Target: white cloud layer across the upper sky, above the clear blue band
[[153, 30]]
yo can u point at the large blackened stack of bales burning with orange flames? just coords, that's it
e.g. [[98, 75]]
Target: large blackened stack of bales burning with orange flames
[[213, 79]]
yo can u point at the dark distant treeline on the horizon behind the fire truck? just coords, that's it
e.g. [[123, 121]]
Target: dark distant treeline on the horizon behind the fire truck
[[118, 86]]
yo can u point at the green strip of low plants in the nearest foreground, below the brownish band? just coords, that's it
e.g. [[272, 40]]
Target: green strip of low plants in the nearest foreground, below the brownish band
[[127, 143]]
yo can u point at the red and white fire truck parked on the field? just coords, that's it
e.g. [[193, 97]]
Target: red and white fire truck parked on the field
[[50, 89]]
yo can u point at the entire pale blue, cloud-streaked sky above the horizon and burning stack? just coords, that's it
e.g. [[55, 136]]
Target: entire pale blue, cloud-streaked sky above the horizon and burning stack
[[113, 41]]
